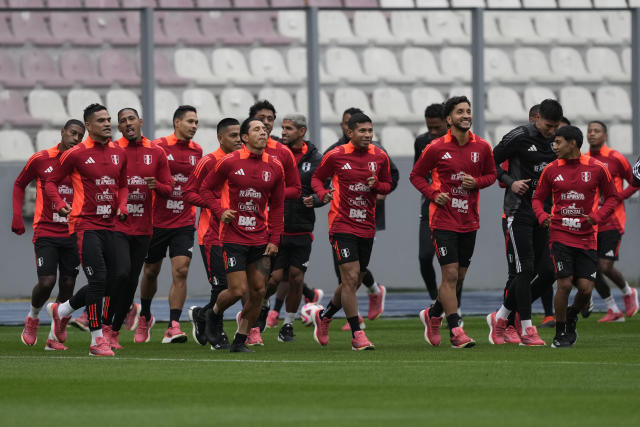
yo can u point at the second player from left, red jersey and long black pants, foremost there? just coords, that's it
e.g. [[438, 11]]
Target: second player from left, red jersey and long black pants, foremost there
[[98, 170]]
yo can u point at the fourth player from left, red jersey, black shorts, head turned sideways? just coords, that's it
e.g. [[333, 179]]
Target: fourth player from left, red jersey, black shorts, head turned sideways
[[173, 227]]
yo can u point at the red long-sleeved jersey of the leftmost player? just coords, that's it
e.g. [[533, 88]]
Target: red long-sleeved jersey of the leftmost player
[[46, 220]]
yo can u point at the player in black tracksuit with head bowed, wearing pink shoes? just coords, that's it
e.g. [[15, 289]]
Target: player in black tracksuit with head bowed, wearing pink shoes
[[528, 150]]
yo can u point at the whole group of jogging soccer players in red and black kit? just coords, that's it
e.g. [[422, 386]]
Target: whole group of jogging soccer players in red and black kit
[[113, 208]]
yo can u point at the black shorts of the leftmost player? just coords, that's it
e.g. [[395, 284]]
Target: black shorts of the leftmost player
[[53, 253]]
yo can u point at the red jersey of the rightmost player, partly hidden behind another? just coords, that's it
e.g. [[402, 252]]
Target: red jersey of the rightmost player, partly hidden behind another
[[620, 170]]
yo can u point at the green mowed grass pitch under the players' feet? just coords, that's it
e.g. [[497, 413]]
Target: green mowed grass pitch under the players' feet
[[404, 381]]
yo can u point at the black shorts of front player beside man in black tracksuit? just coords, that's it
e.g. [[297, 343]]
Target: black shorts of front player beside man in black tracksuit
[[576, 262]]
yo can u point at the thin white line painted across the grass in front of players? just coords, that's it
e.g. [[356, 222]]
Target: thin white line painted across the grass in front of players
[[430, 362]]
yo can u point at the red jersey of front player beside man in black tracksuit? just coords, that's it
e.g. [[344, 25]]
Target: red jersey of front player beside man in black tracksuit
[[575, 185]]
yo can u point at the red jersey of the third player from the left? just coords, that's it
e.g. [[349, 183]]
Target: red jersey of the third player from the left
[[144, 159]]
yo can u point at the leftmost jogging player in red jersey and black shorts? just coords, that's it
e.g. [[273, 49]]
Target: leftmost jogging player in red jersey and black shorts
[[53, 247]]
